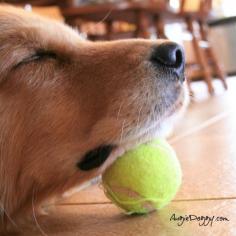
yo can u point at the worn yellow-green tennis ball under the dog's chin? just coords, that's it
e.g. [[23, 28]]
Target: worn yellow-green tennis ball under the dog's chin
[[143, 179]]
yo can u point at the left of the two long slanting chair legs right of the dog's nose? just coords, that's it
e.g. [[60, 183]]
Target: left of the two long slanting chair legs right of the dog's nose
[[200, 56]]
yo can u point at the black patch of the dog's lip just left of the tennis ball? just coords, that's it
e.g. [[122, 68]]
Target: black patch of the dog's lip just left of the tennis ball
[[95, 157]]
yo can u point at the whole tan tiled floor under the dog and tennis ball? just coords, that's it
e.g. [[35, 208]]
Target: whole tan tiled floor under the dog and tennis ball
[[205, 141]]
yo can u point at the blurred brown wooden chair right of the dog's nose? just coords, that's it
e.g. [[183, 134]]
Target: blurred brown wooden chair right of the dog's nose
[[195, 14]]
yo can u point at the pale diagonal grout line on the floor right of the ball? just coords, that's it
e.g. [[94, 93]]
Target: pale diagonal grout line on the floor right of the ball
[[202, 126]]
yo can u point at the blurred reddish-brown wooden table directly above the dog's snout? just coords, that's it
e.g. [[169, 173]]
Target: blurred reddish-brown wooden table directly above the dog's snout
[[137, 14]]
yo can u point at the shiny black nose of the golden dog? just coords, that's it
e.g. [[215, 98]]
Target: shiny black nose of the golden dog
[[169, 55]]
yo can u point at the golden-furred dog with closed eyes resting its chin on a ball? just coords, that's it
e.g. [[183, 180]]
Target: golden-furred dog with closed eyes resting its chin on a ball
[[70, 107]]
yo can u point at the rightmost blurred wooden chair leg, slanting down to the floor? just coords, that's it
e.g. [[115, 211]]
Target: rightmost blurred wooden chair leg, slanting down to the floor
[[218, 69]]
